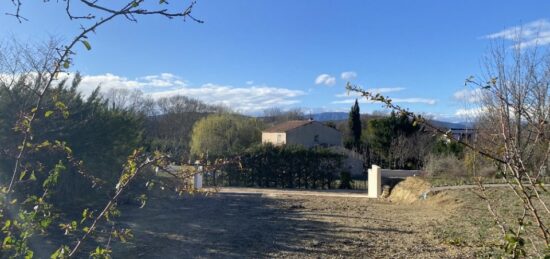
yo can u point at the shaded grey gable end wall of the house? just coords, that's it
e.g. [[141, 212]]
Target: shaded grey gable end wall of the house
[[314, 134]]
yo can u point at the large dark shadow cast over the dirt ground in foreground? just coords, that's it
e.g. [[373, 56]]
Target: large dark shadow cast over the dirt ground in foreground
[[223, 225]]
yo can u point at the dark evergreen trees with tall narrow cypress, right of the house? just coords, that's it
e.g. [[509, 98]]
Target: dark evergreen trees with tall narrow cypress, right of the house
[[393, 141]]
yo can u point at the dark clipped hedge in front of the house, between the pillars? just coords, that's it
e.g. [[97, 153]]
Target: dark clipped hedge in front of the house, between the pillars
[[286, 166]]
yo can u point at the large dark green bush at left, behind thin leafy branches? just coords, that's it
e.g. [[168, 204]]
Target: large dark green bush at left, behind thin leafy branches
[[94, 133]]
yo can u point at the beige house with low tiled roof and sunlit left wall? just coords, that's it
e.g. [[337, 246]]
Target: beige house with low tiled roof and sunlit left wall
[[308, 133]]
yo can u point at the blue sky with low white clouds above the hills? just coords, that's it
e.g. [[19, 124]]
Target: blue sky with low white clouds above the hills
[[251, 55]]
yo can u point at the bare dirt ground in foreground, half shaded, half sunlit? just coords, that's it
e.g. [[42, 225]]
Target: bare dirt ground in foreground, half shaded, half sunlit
[[258, 226]]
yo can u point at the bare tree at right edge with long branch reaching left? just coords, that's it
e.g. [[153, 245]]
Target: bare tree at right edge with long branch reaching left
[[515, 114]]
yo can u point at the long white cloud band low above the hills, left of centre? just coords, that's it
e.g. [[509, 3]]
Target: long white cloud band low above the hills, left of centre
[[247, 99]]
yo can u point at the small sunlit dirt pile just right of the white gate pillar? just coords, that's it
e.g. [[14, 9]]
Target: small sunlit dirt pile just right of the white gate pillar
[[410, 190]]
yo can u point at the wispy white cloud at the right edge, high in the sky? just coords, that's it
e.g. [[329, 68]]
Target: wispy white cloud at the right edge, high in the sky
[[536, 33]]
